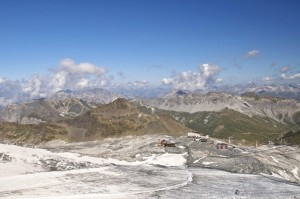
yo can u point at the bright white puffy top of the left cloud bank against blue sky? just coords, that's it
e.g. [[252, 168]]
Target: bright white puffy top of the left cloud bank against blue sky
[[70, 66]]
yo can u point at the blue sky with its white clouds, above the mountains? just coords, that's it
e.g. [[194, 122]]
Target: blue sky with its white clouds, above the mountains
[[188, 44]]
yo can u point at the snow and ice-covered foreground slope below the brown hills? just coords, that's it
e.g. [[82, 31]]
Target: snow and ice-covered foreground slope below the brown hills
[[153, 172]]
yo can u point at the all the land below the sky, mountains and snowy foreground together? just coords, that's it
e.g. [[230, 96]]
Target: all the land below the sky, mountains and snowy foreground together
[[66, 147]]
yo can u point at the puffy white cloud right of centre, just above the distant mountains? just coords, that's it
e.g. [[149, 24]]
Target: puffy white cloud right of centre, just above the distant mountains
[[190, 80]]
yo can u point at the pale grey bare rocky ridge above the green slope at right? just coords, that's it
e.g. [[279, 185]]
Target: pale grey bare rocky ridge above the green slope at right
[[279, 109]]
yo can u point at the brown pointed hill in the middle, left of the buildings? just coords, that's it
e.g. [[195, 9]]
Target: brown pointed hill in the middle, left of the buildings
[[122, 117]]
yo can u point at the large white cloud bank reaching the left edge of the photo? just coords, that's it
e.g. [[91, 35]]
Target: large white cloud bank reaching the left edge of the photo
[[67, 75]]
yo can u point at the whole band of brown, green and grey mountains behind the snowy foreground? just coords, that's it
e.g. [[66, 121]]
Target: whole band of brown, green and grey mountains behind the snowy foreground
[[97, 113]]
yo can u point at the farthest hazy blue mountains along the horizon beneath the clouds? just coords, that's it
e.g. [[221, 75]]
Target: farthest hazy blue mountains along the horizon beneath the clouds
[[105, 95]]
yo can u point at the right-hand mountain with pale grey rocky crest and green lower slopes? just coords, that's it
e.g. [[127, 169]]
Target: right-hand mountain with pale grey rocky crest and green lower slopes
[[248, 118]]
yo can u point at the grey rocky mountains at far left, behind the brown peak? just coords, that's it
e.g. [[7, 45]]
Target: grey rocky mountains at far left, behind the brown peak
[[61, 105]]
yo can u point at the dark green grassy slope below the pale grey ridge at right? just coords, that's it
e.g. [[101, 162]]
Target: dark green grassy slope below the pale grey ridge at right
[[229, 123]]
